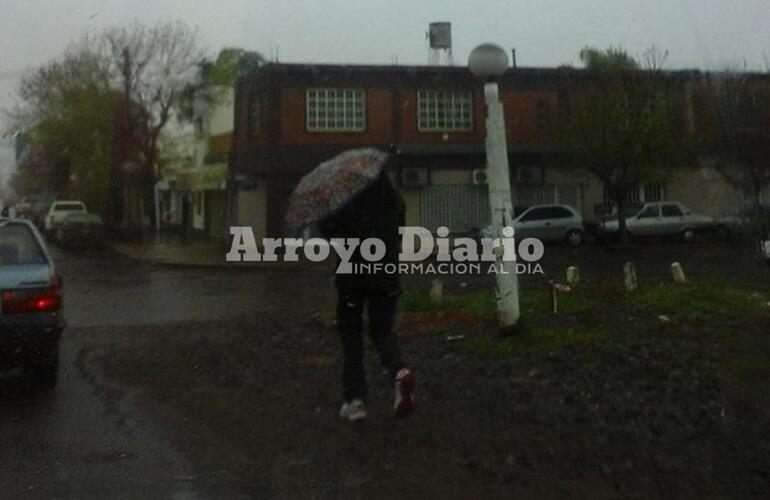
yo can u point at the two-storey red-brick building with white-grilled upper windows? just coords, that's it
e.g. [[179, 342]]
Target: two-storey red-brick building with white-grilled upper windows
[[290, 117]]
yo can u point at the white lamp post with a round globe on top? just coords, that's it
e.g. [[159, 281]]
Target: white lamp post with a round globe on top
[[488, 61]]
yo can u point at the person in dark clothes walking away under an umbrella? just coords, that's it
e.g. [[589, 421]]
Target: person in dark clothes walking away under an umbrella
[[376, 212]]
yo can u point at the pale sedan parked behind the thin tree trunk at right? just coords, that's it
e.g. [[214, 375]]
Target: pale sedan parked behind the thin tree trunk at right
[[659, 219]]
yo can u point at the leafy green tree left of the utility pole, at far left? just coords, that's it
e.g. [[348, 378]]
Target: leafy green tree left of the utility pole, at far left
[[67, 110]]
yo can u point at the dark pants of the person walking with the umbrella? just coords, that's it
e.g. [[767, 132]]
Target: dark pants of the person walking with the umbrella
[[382, 309]]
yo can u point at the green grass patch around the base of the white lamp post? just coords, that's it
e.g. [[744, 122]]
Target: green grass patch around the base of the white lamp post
[[594, 315]]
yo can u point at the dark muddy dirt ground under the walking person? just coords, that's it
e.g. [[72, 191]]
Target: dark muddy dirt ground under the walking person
[[664, 397]]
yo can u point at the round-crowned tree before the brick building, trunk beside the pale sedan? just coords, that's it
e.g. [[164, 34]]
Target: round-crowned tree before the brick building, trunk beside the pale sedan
[[629, 126]]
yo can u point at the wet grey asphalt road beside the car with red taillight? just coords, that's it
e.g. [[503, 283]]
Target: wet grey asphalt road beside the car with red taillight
[[80, 442]]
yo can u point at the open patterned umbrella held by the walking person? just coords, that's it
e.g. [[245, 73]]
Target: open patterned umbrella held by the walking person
[[332, 185]]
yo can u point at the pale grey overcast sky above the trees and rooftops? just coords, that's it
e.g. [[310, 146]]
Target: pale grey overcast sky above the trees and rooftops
[[697, 33]]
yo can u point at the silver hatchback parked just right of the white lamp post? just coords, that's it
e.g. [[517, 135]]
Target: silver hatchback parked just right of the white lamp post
[[548, 223]]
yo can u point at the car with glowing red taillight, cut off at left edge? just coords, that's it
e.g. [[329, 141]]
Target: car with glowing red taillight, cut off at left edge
[[31, 318]]
